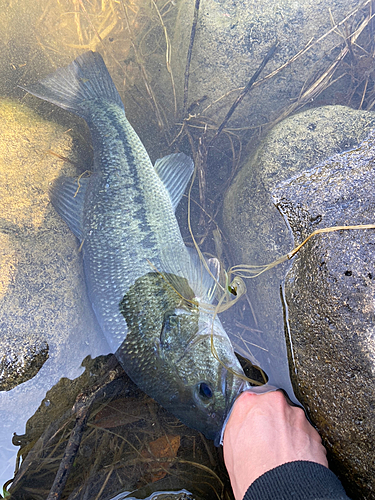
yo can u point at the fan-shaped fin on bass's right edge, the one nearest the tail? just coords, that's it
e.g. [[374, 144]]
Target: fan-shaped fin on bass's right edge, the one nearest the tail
[[175, 172]]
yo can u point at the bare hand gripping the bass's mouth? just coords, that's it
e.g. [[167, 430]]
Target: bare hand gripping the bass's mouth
[[263, 432]]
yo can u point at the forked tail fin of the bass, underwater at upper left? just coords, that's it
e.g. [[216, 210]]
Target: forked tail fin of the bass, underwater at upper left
[[85, 79]]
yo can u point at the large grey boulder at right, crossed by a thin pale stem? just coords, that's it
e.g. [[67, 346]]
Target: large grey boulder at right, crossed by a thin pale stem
[[317, 168]]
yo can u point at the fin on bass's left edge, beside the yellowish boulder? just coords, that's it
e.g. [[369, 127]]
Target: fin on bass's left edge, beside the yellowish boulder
[[67, 197]]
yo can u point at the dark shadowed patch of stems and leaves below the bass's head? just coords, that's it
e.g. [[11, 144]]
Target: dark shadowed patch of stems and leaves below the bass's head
[[127, 443]]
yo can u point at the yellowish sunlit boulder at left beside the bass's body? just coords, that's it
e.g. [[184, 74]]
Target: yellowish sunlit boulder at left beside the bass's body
[[42, 289]]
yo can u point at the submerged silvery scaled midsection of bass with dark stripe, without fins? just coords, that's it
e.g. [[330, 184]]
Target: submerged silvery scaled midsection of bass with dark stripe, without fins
[[134, 233]]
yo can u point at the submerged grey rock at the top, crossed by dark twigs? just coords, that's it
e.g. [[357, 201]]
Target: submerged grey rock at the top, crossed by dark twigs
[[232, 39]]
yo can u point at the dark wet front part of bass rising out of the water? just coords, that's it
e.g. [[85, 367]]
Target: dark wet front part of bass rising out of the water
[[178, 353]]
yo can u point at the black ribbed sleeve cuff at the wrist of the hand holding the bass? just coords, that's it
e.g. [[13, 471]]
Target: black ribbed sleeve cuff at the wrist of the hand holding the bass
[[298, 481]]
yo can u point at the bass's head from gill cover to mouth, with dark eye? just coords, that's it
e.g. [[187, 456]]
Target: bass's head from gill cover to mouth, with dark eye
[[199, 358]]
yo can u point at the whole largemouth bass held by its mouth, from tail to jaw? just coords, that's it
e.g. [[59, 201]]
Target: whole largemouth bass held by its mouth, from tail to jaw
[[146, 288]]
